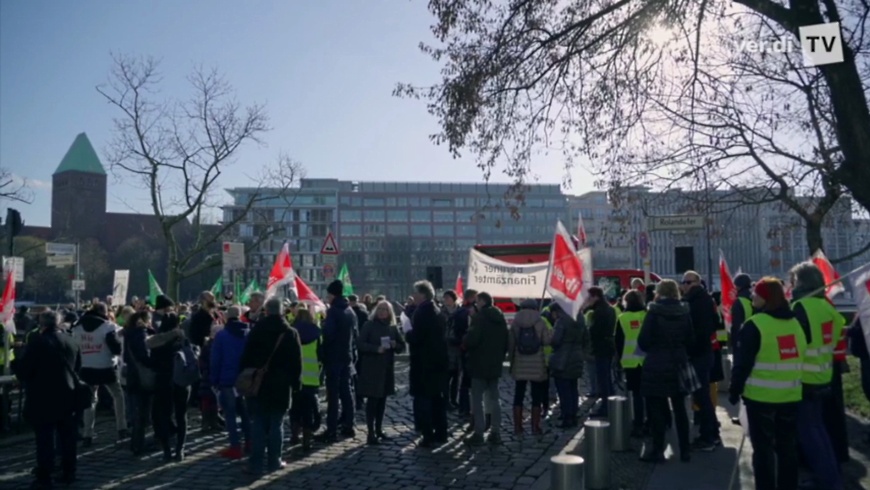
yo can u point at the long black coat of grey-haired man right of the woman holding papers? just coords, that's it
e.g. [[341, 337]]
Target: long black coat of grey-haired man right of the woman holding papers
[[428, 351]]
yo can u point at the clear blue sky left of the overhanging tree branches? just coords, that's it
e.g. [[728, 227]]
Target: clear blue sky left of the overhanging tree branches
[[325, 71]]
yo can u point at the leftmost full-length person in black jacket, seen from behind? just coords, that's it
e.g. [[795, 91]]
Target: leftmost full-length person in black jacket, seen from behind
[[47, 370]]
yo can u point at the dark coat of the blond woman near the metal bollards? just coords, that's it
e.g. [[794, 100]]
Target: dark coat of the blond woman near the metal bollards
[[666, 337]]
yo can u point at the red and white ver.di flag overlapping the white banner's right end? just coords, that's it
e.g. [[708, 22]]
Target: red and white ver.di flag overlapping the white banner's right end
[[565, 281]]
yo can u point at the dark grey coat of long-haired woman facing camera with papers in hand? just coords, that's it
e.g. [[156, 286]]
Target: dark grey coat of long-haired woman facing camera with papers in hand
[[377, 376]]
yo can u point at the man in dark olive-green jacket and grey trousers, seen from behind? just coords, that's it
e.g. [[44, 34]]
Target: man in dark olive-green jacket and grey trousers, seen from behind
[[486, 344]]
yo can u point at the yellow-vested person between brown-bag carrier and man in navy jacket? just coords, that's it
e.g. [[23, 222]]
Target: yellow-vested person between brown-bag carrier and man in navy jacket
[[305, 412]]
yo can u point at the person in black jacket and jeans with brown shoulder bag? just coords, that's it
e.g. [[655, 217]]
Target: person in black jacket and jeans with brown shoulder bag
[[275, 346]]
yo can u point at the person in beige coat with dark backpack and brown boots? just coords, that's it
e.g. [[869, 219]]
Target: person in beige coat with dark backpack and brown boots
[[528, 336]]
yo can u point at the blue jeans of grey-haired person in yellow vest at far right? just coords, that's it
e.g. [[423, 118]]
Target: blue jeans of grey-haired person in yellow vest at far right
[[816, 444]]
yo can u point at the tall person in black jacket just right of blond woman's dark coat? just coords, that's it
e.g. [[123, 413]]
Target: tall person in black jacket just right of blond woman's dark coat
[[705, 321]]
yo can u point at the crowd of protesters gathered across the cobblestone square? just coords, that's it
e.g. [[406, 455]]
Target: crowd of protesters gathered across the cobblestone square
[[248, 368]]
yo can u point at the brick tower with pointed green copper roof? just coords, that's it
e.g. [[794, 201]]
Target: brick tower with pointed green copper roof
[[78, 193]]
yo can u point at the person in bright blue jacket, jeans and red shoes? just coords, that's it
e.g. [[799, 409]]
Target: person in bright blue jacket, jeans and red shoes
[[226, 354]]
